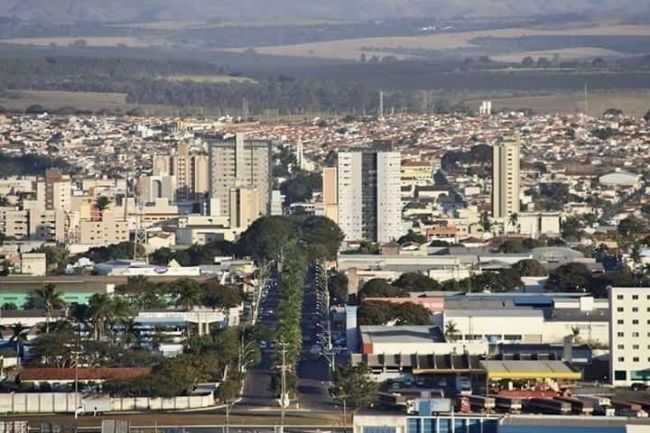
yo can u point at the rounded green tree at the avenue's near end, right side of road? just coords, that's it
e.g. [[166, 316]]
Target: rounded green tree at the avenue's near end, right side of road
[[354, 387]]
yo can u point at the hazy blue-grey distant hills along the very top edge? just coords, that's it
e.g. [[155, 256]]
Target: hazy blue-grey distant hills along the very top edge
[[153, 10]]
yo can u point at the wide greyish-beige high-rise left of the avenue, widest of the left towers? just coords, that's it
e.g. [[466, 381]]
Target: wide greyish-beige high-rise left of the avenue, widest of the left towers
[[239, 163]]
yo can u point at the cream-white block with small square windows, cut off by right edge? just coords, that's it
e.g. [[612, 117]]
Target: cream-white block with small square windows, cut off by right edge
[[629, 341]]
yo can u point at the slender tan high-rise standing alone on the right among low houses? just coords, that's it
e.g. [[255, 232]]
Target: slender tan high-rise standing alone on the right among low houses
[[505, 178]]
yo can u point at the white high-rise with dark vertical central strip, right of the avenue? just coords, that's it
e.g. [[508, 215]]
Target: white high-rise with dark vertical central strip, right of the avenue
[[369, 199]]
